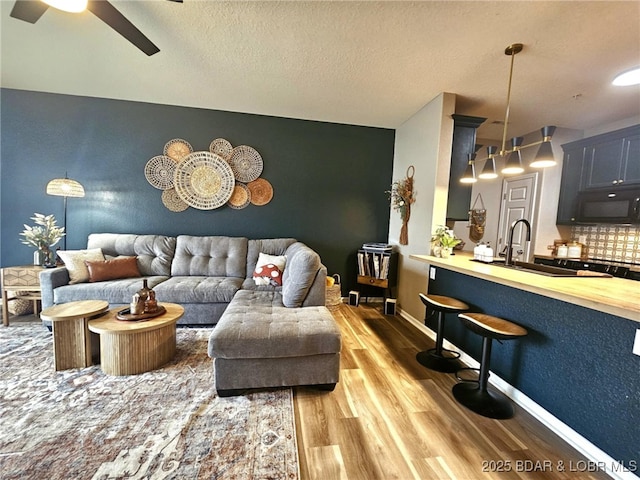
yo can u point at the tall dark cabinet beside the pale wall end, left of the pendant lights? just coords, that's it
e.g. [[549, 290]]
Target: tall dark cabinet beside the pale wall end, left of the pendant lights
[[464, 141]]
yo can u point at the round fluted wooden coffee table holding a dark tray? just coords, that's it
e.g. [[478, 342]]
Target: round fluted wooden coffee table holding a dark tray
[[132, 347]]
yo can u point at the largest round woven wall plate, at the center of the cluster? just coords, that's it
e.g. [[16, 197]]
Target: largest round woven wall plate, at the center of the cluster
[[204, 180]]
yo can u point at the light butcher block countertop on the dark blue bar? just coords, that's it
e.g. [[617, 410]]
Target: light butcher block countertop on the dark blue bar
[[616, 296]]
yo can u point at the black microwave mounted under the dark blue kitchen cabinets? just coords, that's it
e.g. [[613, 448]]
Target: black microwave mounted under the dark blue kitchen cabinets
[[610, 205]]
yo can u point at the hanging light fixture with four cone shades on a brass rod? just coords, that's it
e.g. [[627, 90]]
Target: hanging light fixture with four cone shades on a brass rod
[[513, 164]]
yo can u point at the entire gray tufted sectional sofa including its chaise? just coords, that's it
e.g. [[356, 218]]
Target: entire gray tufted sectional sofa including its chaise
[[264, 335]]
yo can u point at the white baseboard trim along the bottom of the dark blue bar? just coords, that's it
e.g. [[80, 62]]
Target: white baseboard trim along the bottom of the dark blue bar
[[595, 455]]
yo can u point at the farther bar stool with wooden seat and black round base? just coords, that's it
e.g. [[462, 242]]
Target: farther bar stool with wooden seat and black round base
[[439, 358]]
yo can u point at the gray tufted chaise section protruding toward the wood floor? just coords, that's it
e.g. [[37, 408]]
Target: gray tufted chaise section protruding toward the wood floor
[[260, 343]]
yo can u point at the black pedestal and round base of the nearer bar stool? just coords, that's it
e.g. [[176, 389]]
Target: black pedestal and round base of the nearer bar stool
[[477, 397]]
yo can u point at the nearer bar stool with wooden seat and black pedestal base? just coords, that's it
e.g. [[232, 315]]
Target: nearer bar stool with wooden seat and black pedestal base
[[474, 394]]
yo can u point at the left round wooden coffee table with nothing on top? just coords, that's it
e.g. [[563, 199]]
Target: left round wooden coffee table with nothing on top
[[71, 339]]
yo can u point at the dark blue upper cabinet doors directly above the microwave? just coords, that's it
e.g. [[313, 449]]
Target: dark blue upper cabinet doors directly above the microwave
[[612, 159]]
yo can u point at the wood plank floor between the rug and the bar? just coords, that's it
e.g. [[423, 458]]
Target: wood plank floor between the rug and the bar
[[390, 417]]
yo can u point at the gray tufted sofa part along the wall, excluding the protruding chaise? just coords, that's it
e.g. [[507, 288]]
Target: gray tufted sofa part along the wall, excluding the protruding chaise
[[201, 273]]
